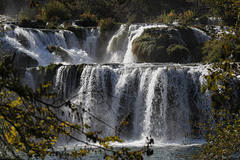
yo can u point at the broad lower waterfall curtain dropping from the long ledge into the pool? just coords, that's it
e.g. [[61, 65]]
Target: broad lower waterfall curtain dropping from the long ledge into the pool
[[161, 99]]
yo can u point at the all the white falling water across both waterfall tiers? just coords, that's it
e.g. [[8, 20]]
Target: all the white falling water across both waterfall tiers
[[160, 99]]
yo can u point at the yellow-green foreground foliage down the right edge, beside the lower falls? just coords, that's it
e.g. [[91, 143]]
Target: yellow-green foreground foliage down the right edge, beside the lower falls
[[223, 84]]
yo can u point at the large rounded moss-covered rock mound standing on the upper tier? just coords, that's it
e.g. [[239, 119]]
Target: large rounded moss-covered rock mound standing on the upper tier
[[172, 44]]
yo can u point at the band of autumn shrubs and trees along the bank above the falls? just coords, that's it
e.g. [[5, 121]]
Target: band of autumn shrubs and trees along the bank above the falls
[[134, 11]]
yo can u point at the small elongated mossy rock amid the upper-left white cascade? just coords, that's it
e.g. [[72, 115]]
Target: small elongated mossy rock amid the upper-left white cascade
[[60, 52]]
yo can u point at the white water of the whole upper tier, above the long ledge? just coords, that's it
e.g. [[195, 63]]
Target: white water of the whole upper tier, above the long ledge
[[34, 42]]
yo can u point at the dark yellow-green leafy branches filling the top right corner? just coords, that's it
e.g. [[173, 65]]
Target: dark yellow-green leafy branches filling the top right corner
[[228, 10]]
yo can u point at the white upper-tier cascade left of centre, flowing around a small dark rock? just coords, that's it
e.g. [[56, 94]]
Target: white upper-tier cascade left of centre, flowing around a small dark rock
[[34, 42]]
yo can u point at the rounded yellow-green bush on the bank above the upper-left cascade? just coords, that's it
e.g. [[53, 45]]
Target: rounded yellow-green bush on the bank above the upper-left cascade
[[55, 11]]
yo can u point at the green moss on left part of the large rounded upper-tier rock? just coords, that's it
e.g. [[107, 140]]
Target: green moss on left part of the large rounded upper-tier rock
[[152, 45]]
